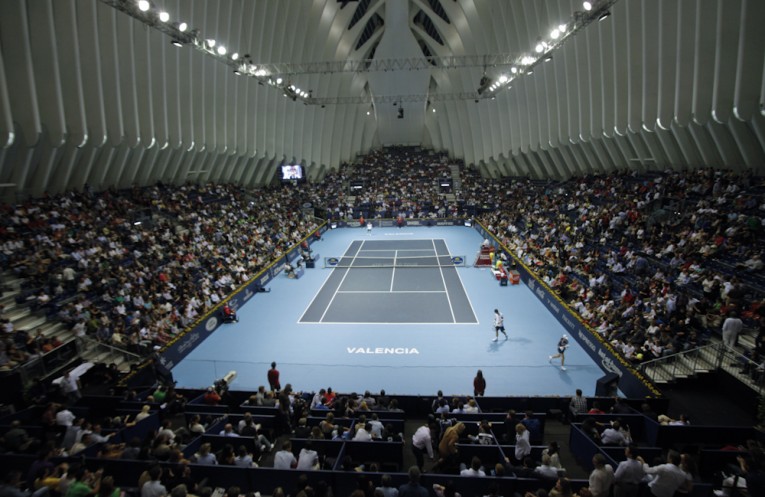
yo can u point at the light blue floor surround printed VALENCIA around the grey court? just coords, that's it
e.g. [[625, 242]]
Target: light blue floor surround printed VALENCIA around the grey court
[[390, 331]]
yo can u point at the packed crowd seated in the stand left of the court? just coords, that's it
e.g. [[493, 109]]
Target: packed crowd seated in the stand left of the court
[[134, 267]]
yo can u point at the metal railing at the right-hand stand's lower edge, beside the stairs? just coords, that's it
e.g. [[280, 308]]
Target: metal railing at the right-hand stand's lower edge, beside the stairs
[[711, 357]]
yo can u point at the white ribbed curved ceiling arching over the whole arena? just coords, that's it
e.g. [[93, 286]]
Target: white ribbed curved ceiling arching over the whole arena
[[90, 94]]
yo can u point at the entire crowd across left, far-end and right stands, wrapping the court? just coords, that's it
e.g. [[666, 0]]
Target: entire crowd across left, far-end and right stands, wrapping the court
[[646, 260]]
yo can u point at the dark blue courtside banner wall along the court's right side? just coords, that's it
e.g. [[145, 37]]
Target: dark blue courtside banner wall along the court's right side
[[631, 382]]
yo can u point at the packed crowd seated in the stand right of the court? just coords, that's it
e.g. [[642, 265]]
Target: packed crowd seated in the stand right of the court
[[650, 261]]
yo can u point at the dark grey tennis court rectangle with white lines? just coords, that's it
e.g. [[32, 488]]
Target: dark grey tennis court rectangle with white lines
[[393, 281]]
